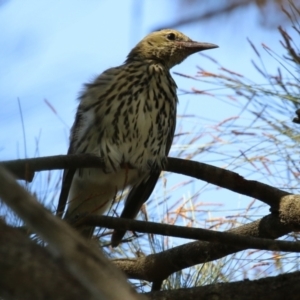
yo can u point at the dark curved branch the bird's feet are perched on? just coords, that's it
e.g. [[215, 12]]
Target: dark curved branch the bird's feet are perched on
[[214, 175]]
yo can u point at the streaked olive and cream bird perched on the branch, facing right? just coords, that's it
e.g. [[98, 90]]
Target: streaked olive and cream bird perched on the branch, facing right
[[127, 116]]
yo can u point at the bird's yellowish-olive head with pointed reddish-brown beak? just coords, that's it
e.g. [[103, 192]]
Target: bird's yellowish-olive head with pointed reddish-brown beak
[[168, 47]]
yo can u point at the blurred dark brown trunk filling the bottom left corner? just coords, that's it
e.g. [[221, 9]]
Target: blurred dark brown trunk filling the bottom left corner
[[21, 258]]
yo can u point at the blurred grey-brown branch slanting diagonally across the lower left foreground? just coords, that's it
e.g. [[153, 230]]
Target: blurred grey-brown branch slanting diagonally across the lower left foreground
[[84, 262]]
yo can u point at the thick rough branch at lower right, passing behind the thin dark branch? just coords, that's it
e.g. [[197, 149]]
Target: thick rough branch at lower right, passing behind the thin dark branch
[[190, 254]]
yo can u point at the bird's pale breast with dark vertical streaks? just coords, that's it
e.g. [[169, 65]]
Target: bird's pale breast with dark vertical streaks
[[134, 119]]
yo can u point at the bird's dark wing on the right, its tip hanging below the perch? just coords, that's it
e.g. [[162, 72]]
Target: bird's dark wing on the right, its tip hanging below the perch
[[140, 193]]
